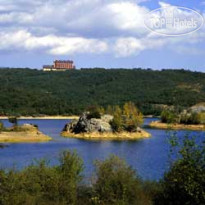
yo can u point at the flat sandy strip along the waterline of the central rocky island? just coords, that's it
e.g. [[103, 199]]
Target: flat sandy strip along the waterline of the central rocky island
[[122, 136]]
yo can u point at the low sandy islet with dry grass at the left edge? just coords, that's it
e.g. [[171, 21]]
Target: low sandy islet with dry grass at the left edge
[[21, 133]]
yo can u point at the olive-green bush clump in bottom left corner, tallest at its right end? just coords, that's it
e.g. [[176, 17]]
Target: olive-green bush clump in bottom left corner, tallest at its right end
[[41, 184]]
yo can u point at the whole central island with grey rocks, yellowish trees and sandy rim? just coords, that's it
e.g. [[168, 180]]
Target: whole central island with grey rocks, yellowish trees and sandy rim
[[113, 124]]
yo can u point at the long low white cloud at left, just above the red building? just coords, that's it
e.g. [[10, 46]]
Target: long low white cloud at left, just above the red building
[[52, 44]]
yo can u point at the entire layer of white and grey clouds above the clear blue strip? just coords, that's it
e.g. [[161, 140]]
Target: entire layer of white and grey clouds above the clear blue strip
[[61, 27]]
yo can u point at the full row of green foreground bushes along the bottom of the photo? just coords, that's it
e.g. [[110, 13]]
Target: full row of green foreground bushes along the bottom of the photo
[[114, 182]]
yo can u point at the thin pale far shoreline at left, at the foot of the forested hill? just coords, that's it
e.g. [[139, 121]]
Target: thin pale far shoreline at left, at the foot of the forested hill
[[54, 117]]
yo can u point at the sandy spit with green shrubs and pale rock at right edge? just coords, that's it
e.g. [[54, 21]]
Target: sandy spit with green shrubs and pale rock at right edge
[[188, 119]]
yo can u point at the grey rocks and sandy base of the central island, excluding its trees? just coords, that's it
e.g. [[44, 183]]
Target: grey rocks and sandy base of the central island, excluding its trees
[[99, 129]]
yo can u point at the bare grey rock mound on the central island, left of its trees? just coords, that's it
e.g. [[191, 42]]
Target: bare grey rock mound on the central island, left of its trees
[[87, 125]]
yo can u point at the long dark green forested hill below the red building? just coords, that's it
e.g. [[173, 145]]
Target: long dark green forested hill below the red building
[[33, 92]]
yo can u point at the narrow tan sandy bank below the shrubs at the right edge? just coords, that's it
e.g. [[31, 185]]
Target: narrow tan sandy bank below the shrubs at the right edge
[[160, 125]]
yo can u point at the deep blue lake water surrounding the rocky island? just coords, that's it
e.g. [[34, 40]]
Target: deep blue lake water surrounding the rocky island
[[148, 156]]
